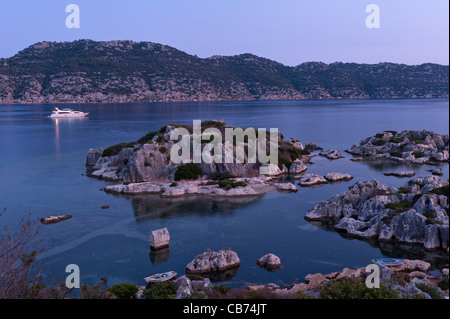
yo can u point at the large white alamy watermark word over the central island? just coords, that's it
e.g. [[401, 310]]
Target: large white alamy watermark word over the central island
[[230, 148]]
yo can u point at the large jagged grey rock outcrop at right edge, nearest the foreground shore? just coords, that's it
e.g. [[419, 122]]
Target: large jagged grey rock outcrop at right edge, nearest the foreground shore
[[414, 214]]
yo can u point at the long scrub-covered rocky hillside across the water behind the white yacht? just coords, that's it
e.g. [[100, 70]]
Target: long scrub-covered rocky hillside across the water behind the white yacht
[[86, 71]]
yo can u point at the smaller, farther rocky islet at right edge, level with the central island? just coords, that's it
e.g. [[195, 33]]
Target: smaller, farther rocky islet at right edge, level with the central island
[[417, 147]]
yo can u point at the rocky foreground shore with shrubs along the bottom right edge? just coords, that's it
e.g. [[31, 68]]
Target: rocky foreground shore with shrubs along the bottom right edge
[[411, 279]]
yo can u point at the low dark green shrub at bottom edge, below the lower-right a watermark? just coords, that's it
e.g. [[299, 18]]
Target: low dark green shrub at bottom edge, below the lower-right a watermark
[[355, 289]]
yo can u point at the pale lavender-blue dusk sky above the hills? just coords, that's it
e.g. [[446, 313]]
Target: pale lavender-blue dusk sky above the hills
[[287, 31]]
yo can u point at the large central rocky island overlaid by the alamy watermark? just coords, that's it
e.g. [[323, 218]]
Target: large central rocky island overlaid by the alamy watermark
[[144, 166]]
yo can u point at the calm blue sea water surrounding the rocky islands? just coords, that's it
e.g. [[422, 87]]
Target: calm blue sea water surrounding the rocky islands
[[42, 164]]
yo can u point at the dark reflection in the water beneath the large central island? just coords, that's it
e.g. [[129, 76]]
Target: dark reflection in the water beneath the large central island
[[152, 206]]
